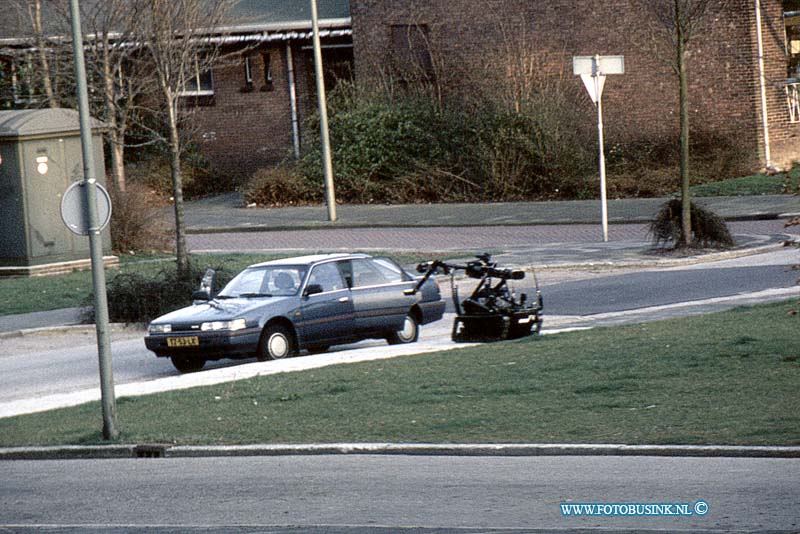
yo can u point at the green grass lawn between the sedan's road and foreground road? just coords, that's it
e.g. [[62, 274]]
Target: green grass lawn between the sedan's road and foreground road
[[726, 378]]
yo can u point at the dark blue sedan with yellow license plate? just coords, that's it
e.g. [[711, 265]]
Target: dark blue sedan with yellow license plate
[[273, 310]]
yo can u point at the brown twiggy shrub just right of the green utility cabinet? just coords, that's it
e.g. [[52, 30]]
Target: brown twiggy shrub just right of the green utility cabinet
[[138, 220]]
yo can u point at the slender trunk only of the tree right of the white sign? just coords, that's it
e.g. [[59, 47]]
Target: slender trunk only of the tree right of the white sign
[[683, 80]]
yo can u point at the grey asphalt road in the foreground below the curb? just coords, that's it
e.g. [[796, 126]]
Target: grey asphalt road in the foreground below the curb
[[354, 494]]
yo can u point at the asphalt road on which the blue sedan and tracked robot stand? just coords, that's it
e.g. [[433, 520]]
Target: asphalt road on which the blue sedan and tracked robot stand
[[39, 366]]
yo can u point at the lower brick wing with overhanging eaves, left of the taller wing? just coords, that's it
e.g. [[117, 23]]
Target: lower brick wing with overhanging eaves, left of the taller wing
[[249, 109]]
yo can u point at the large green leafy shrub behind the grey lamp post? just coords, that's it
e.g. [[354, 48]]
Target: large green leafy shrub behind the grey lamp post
[[381, 144]]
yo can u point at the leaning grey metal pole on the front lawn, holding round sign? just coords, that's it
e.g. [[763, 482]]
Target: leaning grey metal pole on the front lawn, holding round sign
[[108, 400]]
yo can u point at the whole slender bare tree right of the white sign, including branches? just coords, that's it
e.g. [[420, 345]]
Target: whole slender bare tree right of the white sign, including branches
[[679, 23]]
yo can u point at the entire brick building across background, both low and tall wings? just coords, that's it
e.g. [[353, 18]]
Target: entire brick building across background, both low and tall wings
[[249, 110]]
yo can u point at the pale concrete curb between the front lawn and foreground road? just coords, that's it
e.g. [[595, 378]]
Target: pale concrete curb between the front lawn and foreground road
[[394, 449]]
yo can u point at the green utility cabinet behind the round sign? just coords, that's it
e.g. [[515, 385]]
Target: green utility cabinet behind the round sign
[[41, 156]]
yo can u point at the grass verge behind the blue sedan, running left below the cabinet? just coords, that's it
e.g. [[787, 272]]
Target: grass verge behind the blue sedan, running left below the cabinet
[[25, 295]]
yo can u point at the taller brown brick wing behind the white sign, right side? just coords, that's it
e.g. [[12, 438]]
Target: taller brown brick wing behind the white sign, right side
[[725, 92]]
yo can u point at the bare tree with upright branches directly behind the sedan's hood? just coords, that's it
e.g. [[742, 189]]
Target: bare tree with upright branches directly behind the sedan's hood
[[178, 43]]
